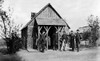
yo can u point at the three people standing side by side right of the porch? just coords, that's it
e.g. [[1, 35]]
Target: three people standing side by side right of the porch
[[71, 40]]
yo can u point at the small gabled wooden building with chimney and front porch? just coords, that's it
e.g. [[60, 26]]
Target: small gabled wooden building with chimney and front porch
[[46, 19]]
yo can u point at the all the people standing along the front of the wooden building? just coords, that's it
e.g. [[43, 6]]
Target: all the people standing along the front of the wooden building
[[59, 42]]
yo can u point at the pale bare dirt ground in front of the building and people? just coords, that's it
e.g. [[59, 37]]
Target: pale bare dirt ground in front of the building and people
[[50, 55]]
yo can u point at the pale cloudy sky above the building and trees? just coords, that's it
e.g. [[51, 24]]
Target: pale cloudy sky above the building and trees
[[75, 12]]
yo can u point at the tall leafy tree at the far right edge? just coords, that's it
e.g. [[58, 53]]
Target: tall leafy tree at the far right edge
[[93, 22]]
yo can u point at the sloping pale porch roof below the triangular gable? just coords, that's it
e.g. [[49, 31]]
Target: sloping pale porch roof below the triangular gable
[[58, 22]]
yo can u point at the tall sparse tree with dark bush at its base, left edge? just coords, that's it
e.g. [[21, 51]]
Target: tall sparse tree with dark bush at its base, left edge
[[9, 31]]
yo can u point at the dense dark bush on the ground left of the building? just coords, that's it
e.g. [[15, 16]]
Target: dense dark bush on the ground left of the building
[[14, 43]]
